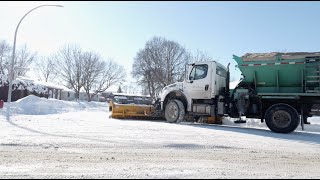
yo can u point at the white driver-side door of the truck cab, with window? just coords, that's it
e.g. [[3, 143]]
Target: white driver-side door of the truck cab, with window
[[198, 83]]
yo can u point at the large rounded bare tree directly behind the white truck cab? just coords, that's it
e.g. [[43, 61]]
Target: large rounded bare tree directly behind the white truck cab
[[160, 63]]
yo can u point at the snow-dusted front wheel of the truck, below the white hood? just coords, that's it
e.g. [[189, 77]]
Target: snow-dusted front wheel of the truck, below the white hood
[[174, 111]]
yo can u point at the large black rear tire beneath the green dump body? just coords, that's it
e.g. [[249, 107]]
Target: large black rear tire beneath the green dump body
[[282, 118]]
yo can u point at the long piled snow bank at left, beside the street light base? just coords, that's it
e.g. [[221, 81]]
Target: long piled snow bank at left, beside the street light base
[[34, 105]]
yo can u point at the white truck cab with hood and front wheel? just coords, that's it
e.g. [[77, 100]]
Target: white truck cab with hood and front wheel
[[198, 94]]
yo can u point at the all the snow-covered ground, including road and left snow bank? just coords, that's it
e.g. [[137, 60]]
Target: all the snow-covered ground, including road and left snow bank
[[48, 138]]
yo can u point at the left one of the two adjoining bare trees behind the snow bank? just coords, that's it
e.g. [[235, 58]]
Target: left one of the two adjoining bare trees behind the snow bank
[[70, 67]]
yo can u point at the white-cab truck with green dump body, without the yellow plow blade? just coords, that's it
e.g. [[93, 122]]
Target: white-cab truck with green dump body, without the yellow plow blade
[[282, 89]]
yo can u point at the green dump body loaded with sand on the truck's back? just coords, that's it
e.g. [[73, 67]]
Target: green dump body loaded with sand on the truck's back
[[296, 72]]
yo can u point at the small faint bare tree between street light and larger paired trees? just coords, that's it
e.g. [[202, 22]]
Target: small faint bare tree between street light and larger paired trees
[[45, 69]]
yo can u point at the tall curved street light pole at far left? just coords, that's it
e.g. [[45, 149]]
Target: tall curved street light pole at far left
[[13, 56]]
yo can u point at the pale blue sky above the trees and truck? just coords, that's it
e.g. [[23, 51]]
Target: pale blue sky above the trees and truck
[[118, 30]]
